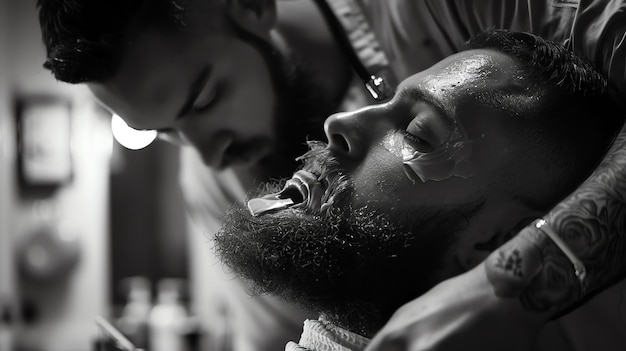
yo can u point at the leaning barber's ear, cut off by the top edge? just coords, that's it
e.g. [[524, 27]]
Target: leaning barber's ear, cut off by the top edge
[[254, 16]]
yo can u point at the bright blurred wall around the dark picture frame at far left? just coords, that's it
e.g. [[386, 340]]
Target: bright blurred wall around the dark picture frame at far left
[[64, 310]]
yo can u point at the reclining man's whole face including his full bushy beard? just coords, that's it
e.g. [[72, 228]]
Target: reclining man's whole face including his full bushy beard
[[372, 227]]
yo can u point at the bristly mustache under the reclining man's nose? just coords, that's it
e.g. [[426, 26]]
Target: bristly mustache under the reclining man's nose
[[319, 160]]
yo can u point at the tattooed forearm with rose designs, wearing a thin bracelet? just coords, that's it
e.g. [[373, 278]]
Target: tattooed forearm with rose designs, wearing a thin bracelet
[[591, 222]]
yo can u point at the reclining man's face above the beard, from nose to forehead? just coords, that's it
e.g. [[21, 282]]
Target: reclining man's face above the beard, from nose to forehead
[[462, 116]]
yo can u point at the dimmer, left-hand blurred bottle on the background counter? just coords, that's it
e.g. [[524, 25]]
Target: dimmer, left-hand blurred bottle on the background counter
[[133, 322]]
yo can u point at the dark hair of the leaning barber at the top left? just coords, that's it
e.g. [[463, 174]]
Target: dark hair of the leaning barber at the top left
[[85, 40]]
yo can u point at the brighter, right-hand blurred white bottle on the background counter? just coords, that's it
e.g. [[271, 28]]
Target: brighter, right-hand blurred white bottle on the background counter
[[168, 321]]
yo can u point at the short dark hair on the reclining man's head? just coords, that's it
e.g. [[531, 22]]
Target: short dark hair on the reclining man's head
[[577, 125]]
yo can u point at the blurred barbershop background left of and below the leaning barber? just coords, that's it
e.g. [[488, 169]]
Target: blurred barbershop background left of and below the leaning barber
[[87, 227]]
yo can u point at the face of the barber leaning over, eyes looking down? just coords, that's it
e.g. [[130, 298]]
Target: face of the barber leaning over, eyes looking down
[[204, 87]]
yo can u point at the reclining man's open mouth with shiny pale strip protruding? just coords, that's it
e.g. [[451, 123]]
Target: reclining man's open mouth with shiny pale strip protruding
[[304, 190]]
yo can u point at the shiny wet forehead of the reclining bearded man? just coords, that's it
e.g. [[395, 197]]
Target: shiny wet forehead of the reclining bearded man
[[480, 88]]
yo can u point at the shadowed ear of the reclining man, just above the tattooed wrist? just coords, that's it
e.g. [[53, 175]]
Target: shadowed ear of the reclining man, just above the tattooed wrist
[[492, 226]]
